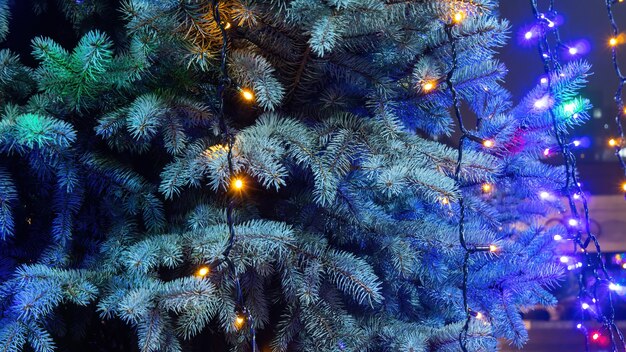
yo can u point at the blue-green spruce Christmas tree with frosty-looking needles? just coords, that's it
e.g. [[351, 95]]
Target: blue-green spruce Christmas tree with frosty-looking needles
[[284, 175]]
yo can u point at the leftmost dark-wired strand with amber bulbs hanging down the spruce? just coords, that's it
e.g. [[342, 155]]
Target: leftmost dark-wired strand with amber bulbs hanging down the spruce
[[243, 315]]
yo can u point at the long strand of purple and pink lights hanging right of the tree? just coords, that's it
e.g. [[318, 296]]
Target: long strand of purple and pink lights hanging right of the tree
[[552, 66]]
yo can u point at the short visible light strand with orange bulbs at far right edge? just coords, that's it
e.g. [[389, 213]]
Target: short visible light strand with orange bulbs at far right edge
[[620, 87]]
